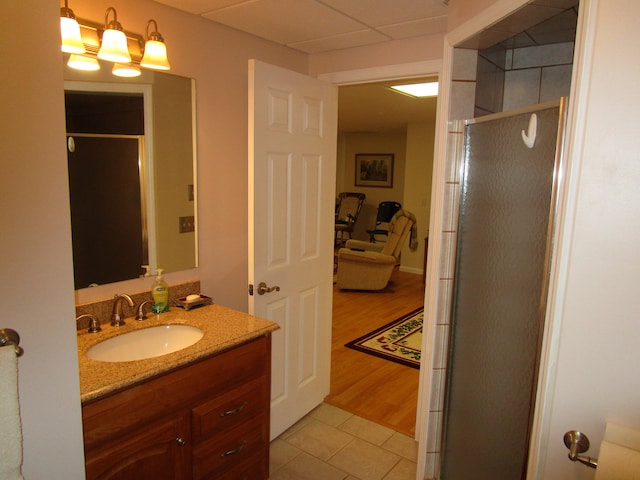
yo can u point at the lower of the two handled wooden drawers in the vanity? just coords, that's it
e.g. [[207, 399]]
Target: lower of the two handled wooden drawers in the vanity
[[232, 450]]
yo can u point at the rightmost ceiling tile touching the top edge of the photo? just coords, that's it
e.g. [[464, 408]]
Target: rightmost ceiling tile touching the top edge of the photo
[[388, 12]]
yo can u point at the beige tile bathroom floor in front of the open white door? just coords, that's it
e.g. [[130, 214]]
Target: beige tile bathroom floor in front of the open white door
[[332, 444]]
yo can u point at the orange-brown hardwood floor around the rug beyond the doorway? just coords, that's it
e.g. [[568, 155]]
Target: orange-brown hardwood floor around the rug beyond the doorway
[[377, 389]]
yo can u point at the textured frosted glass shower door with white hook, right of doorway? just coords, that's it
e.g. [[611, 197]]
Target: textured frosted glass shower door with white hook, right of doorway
[[506, 217]]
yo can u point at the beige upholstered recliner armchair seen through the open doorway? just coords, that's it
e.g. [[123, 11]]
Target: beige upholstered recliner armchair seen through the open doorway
[[368, 266]]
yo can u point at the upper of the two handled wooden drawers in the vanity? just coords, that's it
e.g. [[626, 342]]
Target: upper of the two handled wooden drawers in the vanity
[[228, 411]]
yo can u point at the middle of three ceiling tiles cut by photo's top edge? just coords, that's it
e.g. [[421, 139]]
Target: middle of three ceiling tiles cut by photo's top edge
[[264, 18]]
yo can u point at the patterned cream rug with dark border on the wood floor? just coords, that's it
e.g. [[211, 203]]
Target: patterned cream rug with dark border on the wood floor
[[400, 341]]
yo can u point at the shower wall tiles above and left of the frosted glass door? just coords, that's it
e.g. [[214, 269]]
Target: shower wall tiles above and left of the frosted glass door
[[484, 82]]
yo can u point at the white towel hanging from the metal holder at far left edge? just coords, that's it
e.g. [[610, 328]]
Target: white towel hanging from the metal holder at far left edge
[[10, 426]]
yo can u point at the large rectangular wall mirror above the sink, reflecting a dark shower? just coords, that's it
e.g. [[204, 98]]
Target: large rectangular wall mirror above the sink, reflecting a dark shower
[[131, 154]]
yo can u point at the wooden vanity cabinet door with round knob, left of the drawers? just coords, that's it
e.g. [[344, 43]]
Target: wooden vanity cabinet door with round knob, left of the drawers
[[161, 451]]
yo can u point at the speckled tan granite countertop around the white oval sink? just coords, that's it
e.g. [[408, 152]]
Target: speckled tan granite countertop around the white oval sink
[[223, 328]]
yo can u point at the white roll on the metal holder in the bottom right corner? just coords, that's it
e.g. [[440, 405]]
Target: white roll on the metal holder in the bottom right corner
[[619, 457]]
